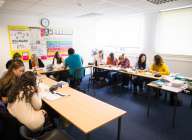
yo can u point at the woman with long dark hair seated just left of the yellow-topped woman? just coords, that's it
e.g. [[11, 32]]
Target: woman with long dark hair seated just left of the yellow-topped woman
[[140, 66]]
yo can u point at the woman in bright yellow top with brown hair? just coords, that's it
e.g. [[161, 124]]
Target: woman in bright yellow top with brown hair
[[159, 66]]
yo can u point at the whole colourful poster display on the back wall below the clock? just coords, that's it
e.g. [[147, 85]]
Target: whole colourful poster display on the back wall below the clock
[[35, 40]]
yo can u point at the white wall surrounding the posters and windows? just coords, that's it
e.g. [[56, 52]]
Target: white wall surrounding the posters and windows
[[85, 38]]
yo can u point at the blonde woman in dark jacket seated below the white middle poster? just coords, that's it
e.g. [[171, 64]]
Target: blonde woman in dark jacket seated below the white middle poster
[[35, 62]]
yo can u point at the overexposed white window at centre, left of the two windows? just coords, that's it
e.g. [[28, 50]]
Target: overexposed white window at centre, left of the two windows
[[123, 35]]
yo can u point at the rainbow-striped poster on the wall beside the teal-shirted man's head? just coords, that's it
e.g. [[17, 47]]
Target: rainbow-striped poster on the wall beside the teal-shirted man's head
[[60, 43]]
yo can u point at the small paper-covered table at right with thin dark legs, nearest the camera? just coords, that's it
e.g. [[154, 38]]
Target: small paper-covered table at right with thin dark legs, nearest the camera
[[172, 90]]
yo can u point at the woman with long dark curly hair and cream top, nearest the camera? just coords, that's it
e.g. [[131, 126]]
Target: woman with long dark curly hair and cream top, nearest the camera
[[25, 104]]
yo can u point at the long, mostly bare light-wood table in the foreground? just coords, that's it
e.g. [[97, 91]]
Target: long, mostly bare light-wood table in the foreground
[[84, 111]]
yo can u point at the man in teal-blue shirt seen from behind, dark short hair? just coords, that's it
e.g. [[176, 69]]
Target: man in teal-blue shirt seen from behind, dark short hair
[[75, 64]]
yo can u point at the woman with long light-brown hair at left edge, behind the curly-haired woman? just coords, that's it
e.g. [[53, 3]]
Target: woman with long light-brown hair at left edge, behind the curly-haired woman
[[16, 69]]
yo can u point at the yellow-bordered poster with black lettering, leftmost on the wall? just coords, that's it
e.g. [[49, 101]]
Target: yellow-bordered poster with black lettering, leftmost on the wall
[[19, 40]]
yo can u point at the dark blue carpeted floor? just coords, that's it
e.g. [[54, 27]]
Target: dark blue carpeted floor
[[136, 125]]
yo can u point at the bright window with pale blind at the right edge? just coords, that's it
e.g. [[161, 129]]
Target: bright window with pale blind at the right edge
[[175, 32]]
